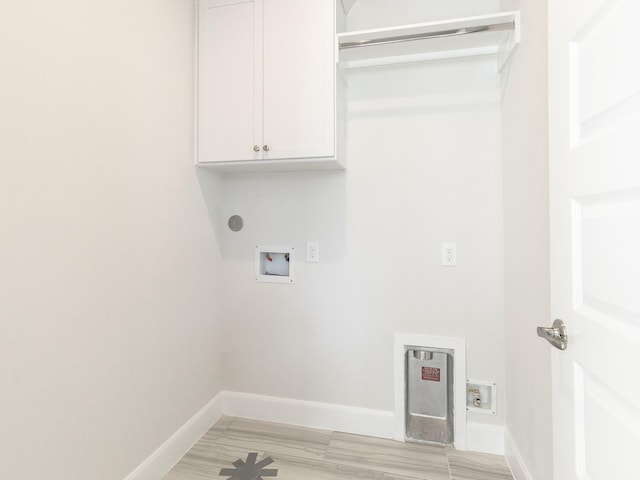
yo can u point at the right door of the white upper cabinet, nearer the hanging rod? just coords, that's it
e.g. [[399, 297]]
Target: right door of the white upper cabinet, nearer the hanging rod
[[299, 78]]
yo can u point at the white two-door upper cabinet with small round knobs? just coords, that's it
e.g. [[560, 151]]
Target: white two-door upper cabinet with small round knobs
[[267, 85]]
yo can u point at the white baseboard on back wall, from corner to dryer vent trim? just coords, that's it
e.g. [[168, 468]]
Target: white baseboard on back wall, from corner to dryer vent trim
[[363, 421]]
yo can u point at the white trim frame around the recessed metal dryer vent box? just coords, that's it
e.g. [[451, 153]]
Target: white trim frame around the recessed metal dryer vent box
[[458, 345]]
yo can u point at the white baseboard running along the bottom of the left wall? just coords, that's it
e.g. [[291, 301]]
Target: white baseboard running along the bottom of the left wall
[[170, 452]]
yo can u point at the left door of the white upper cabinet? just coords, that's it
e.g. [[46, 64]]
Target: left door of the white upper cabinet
[[229, 59]]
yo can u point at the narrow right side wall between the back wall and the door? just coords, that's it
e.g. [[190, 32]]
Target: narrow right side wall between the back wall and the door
[[526, 225]]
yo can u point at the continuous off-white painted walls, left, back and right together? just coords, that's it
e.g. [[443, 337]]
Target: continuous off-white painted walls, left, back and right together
[[116, 269]]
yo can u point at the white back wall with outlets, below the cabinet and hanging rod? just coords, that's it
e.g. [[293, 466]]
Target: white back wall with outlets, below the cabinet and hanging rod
[[423, 167]]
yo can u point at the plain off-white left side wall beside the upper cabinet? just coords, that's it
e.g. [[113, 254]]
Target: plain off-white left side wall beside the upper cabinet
[[109, 294]]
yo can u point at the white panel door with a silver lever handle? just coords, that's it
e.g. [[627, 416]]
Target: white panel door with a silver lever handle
[[594, 121]]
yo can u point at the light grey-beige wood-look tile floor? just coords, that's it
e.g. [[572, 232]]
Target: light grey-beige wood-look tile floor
[[299, 453]]
